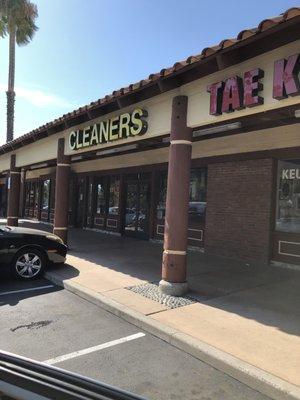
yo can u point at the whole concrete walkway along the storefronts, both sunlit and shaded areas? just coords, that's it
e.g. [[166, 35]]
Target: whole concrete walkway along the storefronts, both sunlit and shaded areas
[[249, 314]]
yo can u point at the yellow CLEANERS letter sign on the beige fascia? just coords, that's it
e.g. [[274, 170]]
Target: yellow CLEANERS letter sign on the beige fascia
[[110, 130]]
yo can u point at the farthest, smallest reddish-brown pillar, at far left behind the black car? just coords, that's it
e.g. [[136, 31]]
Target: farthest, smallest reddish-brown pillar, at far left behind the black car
[[13, 193]]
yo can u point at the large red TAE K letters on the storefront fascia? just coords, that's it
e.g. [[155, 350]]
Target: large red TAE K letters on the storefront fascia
[[235, 92]]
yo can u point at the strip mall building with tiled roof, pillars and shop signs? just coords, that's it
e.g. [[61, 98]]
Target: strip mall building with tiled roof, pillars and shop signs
[[205, 153]]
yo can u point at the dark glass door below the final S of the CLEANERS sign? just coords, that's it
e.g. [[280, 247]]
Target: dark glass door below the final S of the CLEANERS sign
[[137, 204]]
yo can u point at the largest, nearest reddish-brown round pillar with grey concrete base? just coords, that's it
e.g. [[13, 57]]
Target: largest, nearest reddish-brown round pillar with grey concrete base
[[176, 221]]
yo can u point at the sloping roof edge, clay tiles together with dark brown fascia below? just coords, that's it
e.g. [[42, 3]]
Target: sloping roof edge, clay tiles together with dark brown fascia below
[[248, 44]]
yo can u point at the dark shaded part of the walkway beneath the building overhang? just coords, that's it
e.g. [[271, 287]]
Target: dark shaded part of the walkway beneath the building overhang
[[266, 294]]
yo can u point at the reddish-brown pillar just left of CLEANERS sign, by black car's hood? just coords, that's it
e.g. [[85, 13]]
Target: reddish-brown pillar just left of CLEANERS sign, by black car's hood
[[62, 192]]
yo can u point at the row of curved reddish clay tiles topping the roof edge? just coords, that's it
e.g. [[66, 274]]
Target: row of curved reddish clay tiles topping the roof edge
[[165, 72]]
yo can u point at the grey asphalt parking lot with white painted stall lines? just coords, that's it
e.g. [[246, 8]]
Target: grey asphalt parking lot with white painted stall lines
[[47, 323]]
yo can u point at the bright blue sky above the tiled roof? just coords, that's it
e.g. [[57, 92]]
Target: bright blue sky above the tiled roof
[[86, 49]]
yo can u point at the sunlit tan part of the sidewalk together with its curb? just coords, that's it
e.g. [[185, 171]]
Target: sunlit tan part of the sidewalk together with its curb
[[247, 347]]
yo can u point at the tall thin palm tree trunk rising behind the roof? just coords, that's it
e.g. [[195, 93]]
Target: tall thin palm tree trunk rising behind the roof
[[11, 87]]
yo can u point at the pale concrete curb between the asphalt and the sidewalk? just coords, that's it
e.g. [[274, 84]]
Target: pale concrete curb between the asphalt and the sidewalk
[[251, 376]]
